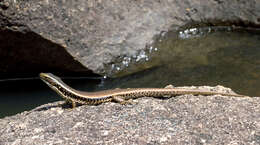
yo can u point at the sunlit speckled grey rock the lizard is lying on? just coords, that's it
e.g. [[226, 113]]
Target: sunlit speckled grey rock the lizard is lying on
[[185, 119]]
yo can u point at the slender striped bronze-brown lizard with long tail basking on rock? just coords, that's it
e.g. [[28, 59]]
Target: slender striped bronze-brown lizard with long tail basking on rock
[[121, 96]]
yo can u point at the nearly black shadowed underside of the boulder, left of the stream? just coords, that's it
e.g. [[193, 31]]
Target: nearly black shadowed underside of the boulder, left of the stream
[[17, 57]]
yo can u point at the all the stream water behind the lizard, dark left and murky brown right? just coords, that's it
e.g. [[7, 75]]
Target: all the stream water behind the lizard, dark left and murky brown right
[[206, 56]]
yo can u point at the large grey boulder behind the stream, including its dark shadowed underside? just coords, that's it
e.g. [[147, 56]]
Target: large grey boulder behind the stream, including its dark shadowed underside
[[95, 33]]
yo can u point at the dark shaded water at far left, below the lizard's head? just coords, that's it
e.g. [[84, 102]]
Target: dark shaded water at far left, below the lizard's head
[[17, 96]]
